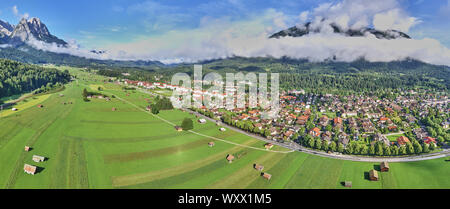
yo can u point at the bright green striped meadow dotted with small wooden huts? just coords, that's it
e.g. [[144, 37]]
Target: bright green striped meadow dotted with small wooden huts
[[90, 146]]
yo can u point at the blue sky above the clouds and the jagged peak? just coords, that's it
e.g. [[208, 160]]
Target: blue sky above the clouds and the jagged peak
[[97, 23]]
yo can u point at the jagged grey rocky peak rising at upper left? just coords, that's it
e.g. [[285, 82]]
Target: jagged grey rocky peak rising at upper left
[[30, 29]]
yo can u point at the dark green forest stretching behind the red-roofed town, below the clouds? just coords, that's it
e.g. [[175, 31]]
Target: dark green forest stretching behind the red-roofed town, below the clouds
[[318, 77]]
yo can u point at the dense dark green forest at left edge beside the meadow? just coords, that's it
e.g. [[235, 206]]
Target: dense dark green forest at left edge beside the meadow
[[17, 78]]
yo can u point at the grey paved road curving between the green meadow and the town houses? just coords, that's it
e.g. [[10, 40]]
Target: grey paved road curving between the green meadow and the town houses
[[297, 147]]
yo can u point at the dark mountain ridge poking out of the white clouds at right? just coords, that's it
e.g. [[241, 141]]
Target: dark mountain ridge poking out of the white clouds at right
[[298, 31]]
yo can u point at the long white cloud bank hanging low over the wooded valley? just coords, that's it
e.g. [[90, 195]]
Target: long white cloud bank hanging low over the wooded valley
[[222, 38]]
